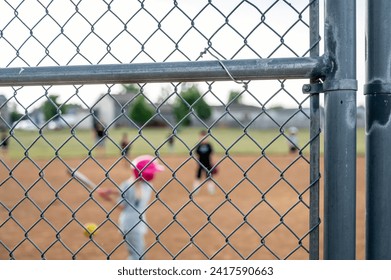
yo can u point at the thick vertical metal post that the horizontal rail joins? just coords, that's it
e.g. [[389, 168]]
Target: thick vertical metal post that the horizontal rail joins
[[340, 130]]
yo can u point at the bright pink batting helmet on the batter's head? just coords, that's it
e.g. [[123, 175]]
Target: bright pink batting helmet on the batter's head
[[145, 167]]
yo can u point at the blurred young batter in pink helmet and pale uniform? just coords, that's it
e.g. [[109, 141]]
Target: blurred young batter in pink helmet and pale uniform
[[133, 200]]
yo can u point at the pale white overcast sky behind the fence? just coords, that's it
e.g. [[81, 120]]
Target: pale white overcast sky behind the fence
[[64, 37]]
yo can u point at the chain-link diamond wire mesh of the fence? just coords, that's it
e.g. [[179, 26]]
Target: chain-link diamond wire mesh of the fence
[[260, 208]]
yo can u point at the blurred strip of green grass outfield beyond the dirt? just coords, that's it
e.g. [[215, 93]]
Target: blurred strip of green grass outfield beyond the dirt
[[81, 143]]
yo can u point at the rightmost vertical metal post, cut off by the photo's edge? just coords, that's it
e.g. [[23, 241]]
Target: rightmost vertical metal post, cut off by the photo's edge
[[378, 130]]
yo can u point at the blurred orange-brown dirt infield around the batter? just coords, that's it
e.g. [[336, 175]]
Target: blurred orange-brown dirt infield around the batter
[[256, 213]]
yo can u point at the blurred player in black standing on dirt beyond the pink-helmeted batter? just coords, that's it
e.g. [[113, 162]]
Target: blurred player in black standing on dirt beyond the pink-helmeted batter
[[204, 151]]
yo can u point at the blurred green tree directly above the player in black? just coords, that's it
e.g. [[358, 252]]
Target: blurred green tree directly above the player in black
[[191, 99]]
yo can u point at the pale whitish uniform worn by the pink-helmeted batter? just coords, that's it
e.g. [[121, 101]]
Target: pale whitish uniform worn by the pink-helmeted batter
[[132, 220]]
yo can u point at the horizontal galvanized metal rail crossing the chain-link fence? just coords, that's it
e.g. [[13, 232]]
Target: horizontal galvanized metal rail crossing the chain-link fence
[[249, 69]]
